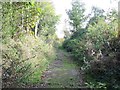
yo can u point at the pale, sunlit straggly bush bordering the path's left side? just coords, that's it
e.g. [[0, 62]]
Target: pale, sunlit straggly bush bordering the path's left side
[[25, 60]]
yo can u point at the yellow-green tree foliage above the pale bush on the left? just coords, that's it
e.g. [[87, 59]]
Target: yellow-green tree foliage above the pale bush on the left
[[21, 17]]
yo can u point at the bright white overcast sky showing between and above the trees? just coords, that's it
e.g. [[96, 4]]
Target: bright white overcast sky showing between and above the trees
[[62, 5]]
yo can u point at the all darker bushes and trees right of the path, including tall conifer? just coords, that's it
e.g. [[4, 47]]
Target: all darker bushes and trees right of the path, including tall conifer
[[95, 47]]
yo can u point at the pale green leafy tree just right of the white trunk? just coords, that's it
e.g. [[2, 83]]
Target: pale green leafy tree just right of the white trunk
[[47, 20]]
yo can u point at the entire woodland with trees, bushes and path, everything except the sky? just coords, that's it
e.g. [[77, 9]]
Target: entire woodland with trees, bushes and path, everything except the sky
[[34, 57]]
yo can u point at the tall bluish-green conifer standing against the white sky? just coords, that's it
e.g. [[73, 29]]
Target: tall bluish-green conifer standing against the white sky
[[76, 15]]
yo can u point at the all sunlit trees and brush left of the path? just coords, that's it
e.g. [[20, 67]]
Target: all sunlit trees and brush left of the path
[[28, 38]]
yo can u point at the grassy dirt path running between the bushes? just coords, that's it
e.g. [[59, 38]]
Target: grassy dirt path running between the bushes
[[62, 73]]
